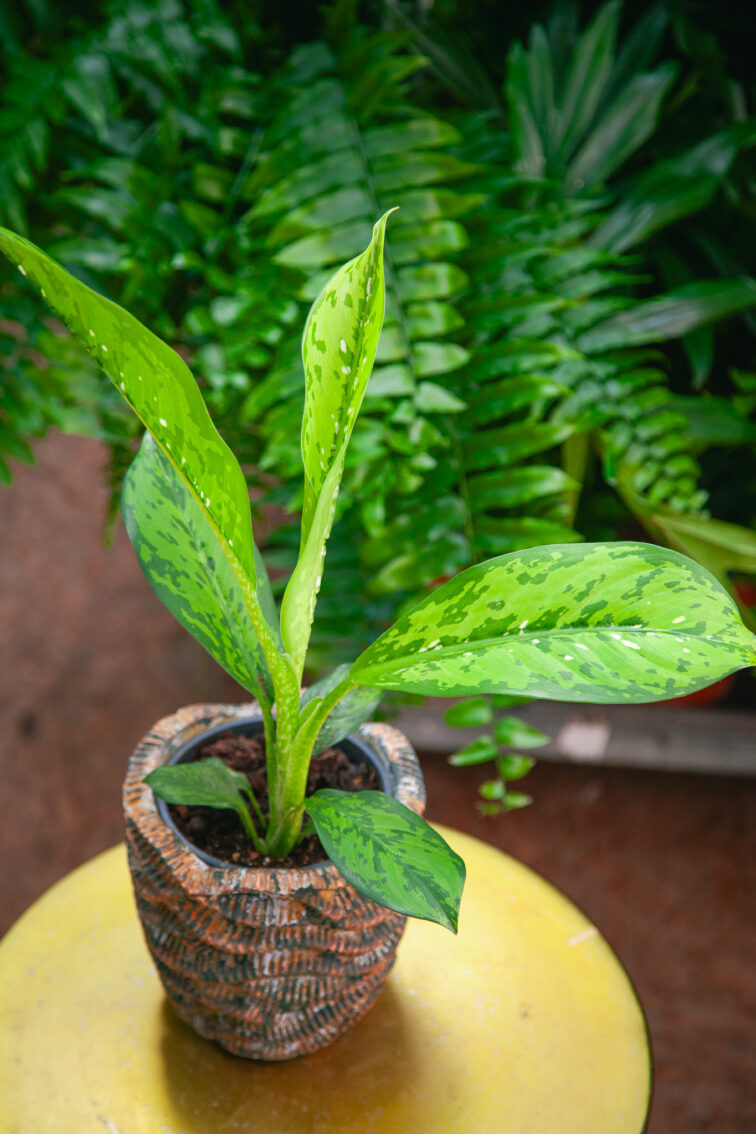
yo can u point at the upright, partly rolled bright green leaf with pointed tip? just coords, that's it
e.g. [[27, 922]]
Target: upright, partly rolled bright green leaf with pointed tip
[[338, 350]]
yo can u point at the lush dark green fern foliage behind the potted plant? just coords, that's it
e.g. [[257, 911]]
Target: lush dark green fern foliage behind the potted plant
[[575, 232]]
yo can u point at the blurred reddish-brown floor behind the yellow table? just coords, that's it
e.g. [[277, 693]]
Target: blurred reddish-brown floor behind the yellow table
[[664, 865]]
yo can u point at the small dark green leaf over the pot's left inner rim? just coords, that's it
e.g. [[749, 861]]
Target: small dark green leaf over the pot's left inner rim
[[206, 784]]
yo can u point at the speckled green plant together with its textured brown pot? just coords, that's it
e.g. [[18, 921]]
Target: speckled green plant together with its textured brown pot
[[277, 957]]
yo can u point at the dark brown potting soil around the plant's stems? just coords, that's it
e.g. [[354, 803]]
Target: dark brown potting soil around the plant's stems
[[220, 834]]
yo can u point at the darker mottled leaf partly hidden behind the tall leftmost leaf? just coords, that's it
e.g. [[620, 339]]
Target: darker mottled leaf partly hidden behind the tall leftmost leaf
[[181, 557]]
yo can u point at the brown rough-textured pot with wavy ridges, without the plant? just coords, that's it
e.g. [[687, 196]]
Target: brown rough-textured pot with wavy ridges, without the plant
[[270, 962]]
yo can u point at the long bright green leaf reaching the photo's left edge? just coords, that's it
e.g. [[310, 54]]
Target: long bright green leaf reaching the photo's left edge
[[160, 390]]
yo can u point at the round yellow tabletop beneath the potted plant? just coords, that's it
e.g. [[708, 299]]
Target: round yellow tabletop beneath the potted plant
[[525, 1023]]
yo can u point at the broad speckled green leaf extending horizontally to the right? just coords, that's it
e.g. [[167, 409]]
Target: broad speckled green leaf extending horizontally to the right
[[598, 623]]
